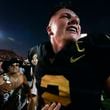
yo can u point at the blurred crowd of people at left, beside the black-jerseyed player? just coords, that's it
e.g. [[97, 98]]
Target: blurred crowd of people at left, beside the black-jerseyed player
[[17, 83]]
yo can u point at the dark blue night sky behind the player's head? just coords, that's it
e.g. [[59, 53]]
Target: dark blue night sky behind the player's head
[[23, 22]]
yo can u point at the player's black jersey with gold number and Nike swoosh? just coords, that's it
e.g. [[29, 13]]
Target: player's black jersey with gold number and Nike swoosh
[[75, 75]]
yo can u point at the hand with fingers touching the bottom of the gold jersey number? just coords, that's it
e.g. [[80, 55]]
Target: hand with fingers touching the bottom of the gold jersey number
[[53, 106]]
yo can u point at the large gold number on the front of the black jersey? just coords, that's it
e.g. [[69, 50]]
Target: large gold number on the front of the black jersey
[[63, 88]]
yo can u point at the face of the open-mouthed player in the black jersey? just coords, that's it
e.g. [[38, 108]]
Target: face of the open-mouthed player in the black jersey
[[65, 25]]
